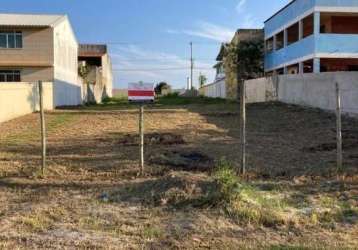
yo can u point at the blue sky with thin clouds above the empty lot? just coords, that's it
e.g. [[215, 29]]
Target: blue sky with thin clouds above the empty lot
[[149, 39]]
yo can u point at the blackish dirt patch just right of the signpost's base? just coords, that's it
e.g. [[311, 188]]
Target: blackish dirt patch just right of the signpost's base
[[184, 160]]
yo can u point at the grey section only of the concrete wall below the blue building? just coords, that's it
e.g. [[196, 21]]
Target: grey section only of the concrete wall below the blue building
[[318, 90]]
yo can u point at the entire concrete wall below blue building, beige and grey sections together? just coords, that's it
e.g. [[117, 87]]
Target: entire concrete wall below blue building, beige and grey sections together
[[312, 90]]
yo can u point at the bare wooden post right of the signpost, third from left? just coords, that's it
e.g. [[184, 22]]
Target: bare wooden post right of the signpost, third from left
[[243, 126]]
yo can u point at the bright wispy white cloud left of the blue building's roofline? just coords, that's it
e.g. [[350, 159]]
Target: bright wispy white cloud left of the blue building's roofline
[[208, 30]]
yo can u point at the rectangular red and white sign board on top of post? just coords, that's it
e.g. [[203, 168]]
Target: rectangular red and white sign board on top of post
[[141, 92]]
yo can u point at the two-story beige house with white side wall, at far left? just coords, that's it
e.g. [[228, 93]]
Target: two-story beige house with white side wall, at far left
[[41, 47]]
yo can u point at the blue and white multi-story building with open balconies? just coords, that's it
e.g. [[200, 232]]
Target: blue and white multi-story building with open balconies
[[309, 36]]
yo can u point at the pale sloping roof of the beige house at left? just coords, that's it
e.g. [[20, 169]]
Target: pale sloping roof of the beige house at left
[[30, 20]]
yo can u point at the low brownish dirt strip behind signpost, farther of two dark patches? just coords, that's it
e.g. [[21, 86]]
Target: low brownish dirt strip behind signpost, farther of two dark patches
[[152, 139]]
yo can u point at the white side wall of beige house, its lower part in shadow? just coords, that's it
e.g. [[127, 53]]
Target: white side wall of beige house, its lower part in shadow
[[67, 88]]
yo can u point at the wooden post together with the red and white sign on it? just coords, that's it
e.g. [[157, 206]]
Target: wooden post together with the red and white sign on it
[[141, 93]]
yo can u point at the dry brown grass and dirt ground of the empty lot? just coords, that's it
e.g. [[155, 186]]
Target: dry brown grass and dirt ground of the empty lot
[[92, 198]]
